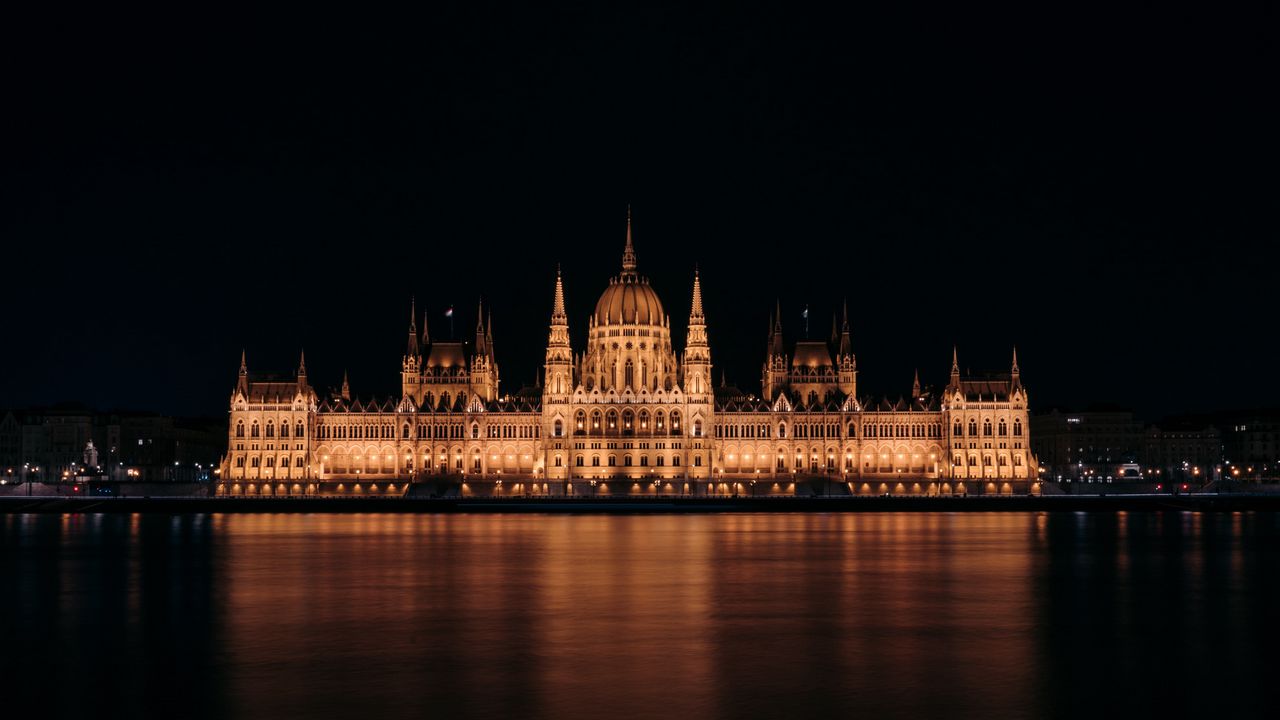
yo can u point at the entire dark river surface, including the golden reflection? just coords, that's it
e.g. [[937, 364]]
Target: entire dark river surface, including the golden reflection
[[716, 616]]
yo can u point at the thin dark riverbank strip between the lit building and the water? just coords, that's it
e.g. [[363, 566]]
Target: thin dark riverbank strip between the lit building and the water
[[1209, 503]]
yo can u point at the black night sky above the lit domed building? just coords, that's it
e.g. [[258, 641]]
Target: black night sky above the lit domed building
[[1099, 189]]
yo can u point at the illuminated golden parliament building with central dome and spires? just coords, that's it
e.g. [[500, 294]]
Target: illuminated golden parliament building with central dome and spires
[[628, 416]]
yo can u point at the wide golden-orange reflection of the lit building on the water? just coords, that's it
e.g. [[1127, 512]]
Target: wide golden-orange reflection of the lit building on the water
[[606, 616]]
